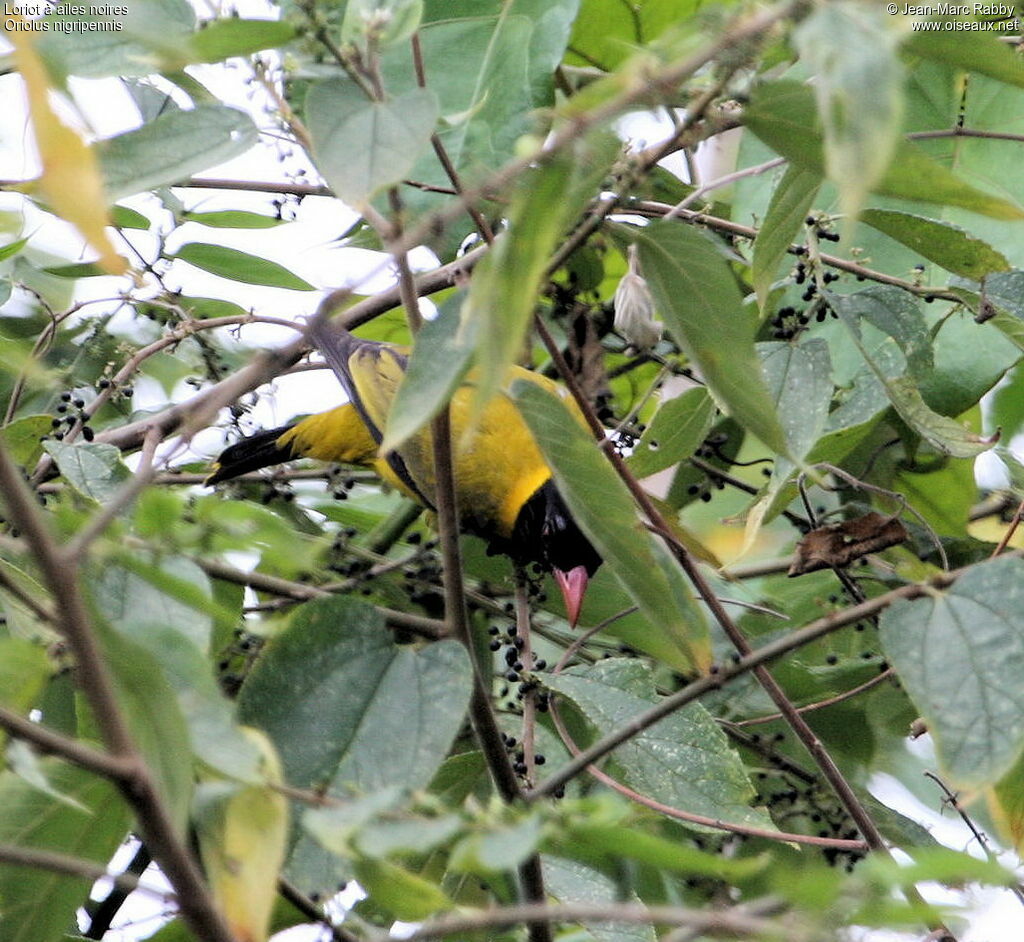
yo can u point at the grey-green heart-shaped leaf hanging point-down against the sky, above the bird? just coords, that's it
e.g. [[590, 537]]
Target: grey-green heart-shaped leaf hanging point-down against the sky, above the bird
[[361, 147]]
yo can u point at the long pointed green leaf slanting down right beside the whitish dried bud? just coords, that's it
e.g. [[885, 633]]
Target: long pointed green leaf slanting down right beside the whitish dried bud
[[698, 296]]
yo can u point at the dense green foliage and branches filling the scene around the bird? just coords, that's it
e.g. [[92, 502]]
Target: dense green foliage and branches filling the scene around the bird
[[269, 684]]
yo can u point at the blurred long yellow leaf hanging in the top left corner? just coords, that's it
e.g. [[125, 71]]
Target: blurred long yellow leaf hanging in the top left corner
[[71, 178]]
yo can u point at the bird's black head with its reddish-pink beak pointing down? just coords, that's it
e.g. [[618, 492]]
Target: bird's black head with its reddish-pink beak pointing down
[[546, 533]]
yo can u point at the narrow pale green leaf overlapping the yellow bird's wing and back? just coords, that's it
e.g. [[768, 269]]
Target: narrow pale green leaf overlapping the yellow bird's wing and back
[[440, 361]]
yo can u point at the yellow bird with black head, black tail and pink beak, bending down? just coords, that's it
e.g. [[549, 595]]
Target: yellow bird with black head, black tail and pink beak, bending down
[[504, 489]]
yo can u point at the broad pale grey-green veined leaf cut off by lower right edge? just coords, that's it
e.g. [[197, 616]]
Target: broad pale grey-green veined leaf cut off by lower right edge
[[960, 655]]
